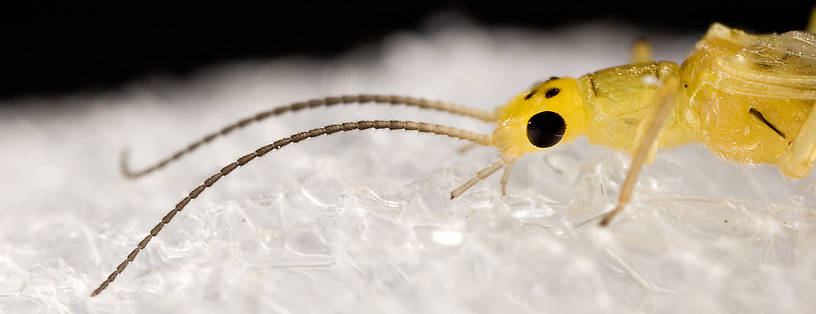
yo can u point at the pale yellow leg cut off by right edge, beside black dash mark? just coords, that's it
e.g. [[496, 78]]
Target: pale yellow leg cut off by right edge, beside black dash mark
[[801, 154]]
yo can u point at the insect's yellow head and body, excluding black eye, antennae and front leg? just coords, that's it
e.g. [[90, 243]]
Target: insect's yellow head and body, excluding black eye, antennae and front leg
[[746, 97]]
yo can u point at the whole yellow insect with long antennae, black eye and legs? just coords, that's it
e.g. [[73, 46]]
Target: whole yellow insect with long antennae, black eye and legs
[[747, 97]]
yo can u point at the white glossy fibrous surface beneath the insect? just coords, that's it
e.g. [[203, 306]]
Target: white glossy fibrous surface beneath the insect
[[361, 222]]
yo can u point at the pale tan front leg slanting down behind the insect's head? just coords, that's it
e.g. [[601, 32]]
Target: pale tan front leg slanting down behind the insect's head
[[664, 100]]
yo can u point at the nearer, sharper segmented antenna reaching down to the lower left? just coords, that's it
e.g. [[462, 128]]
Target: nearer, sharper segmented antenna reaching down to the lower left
[[477, 138]]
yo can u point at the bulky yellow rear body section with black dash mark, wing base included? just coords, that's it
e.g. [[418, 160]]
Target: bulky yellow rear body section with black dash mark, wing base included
[[750, 103]]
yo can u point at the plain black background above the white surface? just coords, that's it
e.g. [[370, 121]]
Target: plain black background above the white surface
[[56, 49]]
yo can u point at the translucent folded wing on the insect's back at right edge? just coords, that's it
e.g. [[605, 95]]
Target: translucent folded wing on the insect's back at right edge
[[777, 66]]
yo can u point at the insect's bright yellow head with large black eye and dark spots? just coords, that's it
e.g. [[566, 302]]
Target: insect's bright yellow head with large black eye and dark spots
[[547, 114]]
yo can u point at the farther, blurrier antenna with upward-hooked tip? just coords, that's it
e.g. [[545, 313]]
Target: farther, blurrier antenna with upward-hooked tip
[[313, 103]]
